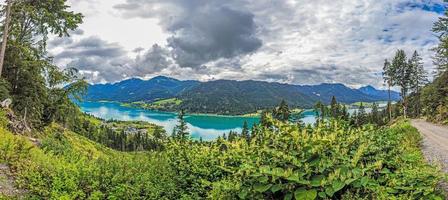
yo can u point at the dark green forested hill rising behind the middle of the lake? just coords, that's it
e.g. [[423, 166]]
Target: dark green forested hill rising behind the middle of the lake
[[239, 97]]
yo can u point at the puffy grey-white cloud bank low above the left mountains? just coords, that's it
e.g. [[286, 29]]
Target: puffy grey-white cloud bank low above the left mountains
[[105, 61]]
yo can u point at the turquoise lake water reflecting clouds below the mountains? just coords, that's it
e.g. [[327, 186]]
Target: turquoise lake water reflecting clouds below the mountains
[[206, 126]]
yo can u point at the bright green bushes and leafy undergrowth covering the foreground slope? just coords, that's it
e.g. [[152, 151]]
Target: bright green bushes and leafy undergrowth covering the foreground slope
[[283, 161]]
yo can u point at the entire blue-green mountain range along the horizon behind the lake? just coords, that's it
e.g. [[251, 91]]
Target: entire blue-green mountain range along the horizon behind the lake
[[231, 96]]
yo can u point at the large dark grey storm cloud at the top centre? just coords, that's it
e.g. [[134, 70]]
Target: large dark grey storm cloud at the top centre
[[202, 31]]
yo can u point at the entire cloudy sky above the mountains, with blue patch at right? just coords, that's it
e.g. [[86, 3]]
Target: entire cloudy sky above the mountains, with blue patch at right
[[291, 41]]
